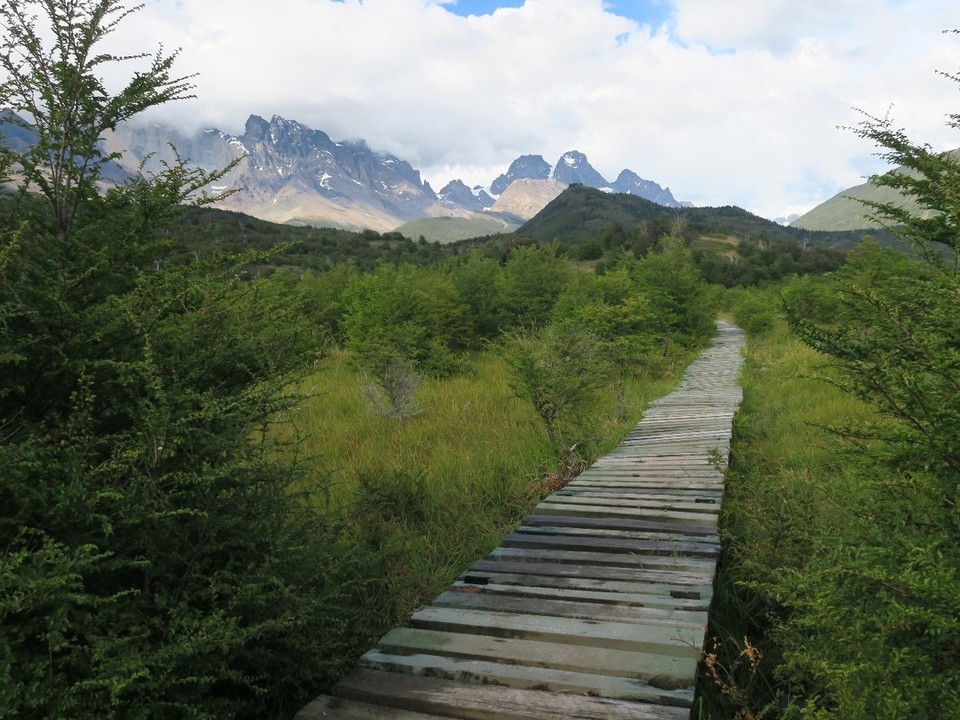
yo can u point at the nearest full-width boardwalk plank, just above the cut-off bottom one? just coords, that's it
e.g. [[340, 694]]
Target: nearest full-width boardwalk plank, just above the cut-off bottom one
[[491, 702]]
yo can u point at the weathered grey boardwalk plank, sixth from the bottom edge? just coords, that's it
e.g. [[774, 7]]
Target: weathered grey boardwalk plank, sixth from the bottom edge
[[496, 602]]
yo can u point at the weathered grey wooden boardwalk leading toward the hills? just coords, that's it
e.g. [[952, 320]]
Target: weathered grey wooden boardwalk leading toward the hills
[[596, 606]]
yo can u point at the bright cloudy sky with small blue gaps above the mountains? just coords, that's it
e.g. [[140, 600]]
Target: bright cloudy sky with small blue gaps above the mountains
[[725, 101]]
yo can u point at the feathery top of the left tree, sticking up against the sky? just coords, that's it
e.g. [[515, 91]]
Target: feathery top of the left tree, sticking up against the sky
[[57, 86]]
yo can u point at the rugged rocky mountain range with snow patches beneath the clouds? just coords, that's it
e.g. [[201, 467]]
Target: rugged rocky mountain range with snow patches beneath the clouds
[[288, 172]]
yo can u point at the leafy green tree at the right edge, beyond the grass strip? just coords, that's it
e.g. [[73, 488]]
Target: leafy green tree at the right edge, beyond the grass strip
[[873, 616]]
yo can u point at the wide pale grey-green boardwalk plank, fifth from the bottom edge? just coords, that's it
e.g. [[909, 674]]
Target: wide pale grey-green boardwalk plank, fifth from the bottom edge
[[680, 640]]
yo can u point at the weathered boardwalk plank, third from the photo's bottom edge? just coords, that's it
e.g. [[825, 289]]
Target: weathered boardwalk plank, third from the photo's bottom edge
[[527, 677]]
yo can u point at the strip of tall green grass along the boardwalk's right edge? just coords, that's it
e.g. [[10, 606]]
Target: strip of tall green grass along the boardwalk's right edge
[[791, 488]]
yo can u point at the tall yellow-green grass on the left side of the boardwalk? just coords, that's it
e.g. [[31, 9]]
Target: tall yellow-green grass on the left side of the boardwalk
[[416, 501]]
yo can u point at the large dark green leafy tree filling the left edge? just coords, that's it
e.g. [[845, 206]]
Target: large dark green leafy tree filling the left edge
[[152, 562]]
